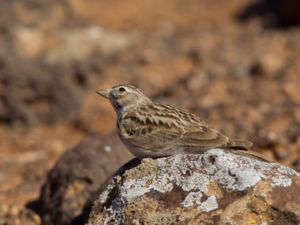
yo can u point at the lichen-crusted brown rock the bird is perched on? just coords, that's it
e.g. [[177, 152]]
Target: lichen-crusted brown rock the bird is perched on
[[214, 188]]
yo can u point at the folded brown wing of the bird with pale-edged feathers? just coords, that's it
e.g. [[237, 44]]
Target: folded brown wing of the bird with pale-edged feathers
[[153, 132]]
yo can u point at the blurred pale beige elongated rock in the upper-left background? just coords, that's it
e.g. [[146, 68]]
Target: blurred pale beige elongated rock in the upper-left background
[[92, 39]]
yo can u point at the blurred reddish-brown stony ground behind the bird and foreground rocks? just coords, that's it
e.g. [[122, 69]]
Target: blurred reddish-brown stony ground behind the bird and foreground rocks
[[234, 63]]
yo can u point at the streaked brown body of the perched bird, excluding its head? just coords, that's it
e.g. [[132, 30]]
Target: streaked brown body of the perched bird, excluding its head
[[160, 130]]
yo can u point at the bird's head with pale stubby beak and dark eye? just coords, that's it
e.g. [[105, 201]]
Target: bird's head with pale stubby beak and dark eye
[[123, 97]]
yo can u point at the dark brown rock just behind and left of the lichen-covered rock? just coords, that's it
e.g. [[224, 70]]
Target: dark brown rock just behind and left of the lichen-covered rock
[[77, 176]]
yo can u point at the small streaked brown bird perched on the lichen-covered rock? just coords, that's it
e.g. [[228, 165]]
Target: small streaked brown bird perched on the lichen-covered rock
[[154, 130]]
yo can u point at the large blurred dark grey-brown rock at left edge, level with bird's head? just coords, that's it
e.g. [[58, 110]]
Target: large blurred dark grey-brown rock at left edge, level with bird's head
[[34, 97]]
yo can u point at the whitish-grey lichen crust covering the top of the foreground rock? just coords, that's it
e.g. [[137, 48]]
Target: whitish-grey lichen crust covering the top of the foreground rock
[[193, 174]]
